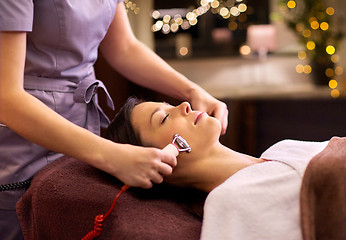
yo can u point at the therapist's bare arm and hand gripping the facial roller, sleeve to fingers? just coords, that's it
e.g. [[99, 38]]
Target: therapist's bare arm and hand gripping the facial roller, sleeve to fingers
[[30, 118]]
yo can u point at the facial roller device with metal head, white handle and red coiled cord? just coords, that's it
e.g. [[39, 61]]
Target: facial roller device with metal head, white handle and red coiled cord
[[178, 145]]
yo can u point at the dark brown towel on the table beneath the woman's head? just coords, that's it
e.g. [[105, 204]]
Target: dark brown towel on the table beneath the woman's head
[[65, 197]]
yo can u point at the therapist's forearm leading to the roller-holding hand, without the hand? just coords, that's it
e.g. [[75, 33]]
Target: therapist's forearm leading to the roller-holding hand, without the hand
[[34, 121]]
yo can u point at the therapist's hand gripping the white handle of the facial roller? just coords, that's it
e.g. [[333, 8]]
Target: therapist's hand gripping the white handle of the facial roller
[[144, 166]]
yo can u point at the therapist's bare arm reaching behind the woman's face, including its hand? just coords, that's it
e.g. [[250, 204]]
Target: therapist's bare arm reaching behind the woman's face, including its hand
[[141, 65]]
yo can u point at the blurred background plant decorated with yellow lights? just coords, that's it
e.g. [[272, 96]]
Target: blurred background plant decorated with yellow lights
[[319, 30]]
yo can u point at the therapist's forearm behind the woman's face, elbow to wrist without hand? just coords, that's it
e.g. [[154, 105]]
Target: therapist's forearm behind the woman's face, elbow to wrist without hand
[[142, 66]]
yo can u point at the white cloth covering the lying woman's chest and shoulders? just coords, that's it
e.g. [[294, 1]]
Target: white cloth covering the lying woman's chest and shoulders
[[261, 201]]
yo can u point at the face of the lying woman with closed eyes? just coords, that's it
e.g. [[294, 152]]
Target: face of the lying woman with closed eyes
[[155, 123]]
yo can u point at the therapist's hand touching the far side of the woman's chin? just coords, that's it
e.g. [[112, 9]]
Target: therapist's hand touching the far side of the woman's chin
[[203, 101]]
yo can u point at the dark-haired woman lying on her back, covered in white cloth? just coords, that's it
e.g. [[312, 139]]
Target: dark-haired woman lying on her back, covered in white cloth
[[249, 198]]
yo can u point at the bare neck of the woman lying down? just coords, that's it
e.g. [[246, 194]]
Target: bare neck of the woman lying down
[[207, 170]]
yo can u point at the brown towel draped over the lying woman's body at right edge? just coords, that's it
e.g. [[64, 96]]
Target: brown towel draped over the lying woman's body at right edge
[[323, 194]]
